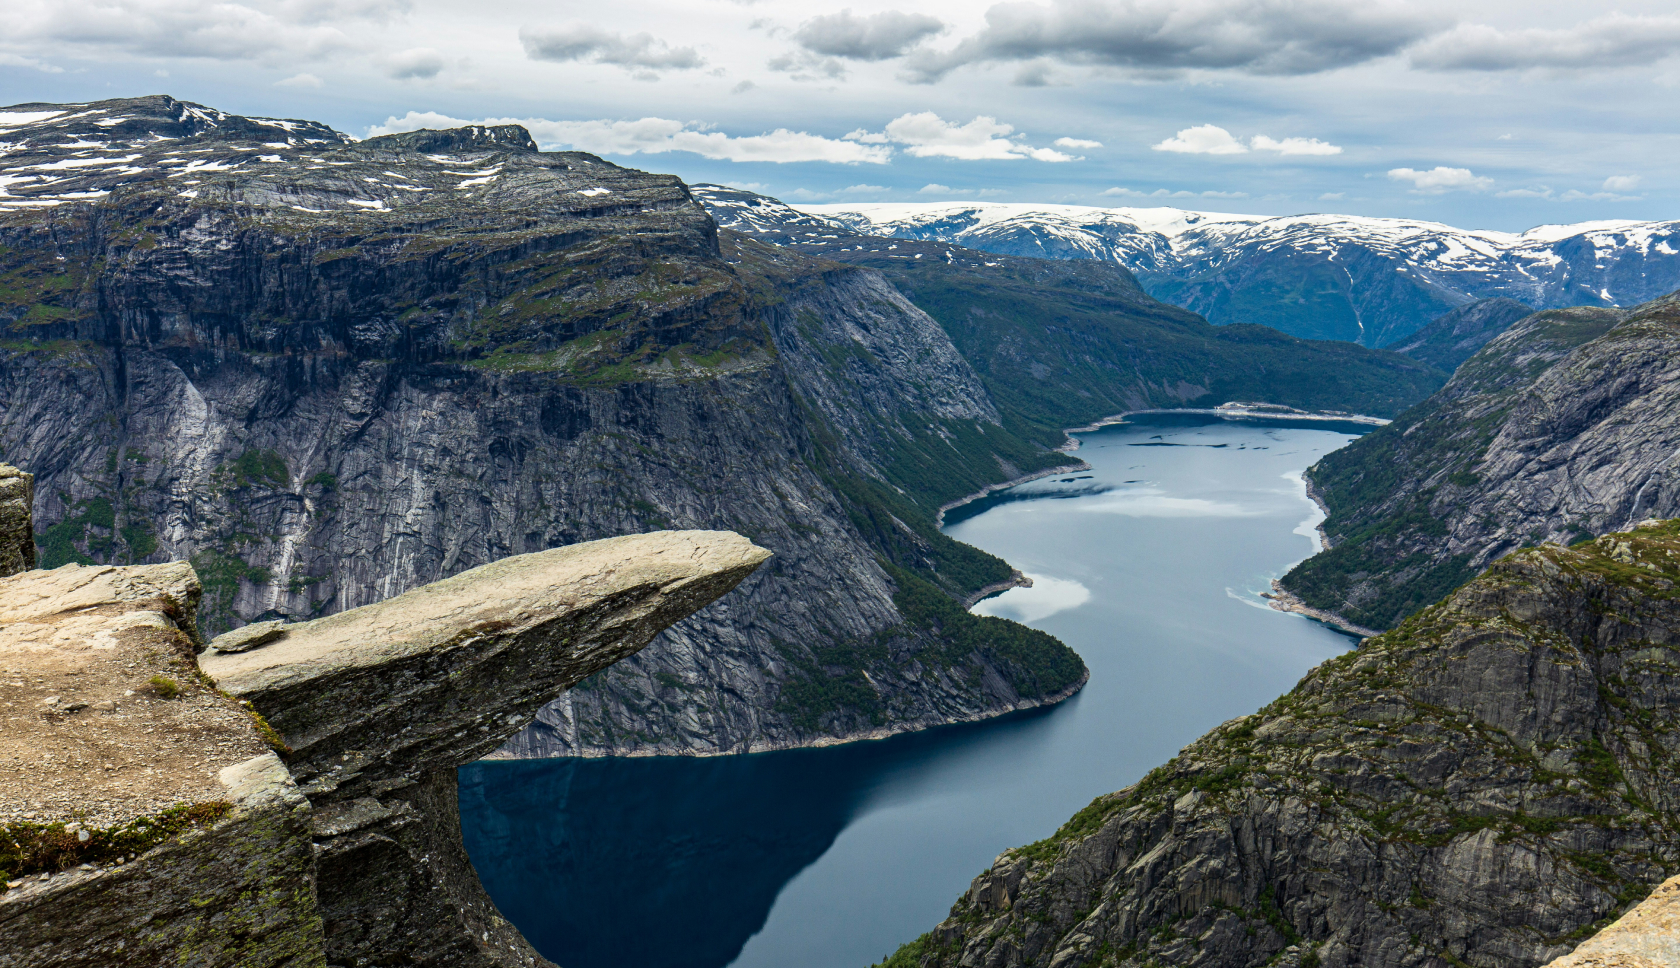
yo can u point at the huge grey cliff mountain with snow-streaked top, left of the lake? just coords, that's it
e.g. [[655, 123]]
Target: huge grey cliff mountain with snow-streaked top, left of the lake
[[330, 372]]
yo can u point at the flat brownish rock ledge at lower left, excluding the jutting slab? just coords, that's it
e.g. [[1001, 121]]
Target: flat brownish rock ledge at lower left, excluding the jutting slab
[[145, 819]]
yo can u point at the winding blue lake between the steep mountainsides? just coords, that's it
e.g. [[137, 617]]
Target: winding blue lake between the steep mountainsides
[[1150, 566]]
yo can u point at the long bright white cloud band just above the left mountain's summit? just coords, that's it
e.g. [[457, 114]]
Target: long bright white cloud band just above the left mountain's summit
[[659, 135]]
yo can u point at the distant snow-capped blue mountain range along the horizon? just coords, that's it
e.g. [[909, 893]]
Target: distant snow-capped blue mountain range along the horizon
[[1370, 281]]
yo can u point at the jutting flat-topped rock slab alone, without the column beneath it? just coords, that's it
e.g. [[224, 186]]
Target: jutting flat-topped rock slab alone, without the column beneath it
[[379, 697]]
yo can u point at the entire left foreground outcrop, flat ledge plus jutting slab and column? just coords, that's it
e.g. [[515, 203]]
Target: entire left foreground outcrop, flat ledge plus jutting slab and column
[[154, 824]]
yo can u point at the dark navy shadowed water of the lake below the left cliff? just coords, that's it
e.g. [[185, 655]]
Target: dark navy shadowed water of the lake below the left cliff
[[675, 861]]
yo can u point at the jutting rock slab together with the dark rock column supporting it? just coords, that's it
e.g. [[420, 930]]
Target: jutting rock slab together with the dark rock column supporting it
[[381, 705]]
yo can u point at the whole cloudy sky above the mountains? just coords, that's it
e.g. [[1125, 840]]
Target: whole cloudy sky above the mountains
[[1479, 113]]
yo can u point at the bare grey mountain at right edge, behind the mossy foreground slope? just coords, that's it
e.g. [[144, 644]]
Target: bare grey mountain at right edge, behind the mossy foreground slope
[[1560, 429]]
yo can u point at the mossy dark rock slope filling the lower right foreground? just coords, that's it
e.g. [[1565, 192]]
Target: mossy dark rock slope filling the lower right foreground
[[1488, 786]]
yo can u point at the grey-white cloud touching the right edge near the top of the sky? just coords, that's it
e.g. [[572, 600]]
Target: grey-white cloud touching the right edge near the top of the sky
[[1609, 43]]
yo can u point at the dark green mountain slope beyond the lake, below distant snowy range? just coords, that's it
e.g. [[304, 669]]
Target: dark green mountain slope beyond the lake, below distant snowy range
[[1063, 344]]
